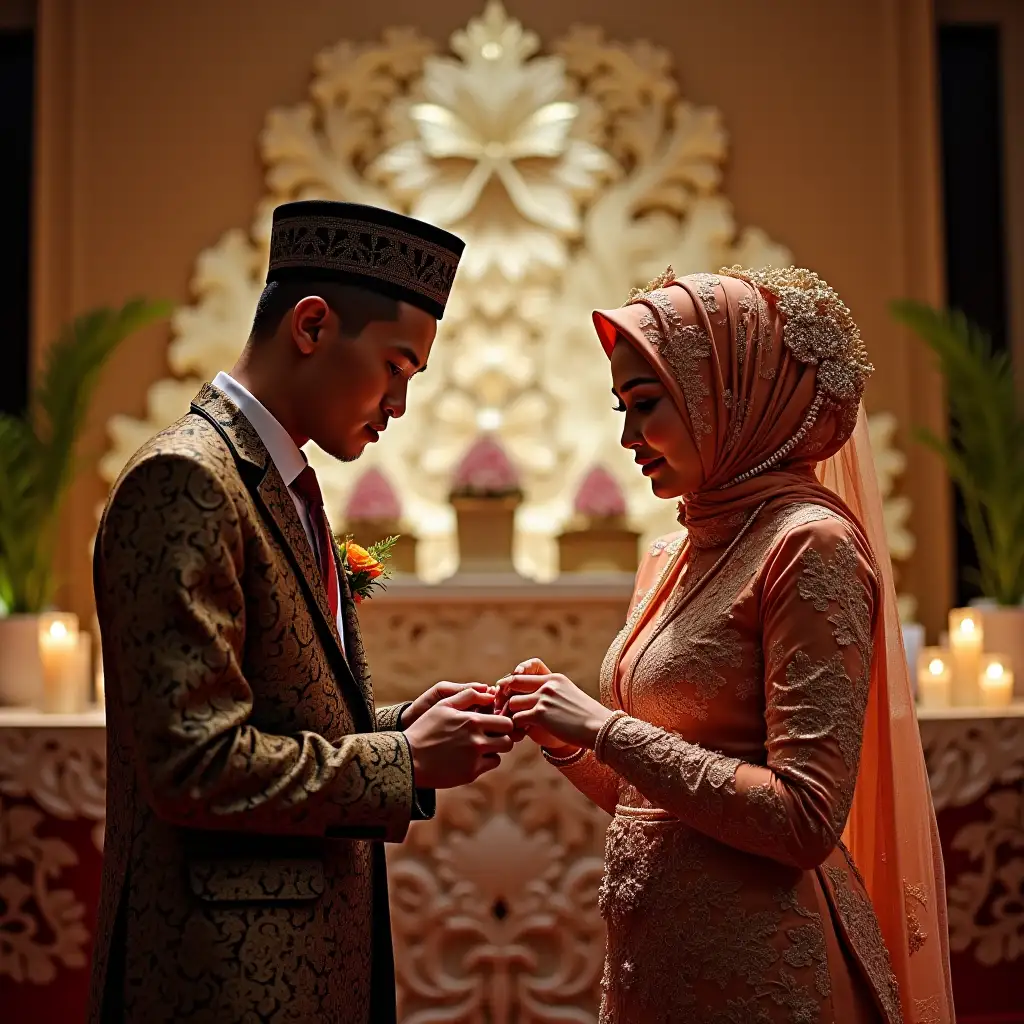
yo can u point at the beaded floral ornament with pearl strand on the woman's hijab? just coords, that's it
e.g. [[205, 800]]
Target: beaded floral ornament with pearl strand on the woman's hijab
[[819, 330]]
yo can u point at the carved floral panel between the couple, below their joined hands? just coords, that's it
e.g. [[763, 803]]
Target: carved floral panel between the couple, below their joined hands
[[494, 903]]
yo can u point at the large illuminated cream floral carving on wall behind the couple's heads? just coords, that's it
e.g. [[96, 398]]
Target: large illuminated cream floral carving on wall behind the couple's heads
[[574, 175]]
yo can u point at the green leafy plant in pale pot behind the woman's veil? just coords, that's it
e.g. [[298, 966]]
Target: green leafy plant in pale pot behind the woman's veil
[[985, 456]]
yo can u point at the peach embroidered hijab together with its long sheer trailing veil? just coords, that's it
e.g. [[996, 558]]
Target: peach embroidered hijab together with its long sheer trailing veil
[[769, 369]]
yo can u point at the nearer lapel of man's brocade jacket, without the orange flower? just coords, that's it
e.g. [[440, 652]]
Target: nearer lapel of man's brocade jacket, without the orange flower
[[276, 505]]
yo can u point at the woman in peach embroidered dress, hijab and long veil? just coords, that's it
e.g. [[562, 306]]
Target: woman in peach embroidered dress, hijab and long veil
[[774, 855]]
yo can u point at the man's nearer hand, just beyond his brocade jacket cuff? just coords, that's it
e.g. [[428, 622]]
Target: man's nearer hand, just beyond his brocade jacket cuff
[[453, 745]]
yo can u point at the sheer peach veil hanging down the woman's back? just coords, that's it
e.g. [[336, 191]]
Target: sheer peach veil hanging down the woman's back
[[891, 831]]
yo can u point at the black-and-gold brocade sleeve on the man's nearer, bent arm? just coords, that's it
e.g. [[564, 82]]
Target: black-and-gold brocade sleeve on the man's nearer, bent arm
[[169, 563]]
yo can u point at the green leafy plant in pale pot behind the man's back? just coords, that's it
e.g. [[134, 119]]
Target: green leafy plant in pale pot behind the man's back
[[37, 465]]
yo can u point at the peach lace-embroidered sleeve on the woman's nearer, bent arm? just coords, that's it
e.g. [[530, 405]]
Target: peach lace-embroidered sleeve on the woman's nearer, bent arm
[[818, 604]]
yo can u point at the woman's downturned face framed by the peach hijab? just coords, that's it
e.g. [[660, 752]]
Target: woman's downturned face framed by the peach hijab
[[654, 430]]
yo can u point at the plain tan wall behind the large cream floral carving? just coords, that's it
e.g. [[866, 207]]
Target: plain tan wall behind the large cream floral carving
[[150, 116]]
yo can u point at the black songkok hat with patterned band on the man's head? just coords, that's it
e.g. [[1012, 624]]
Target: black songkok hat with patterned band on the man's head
[[376, 249]]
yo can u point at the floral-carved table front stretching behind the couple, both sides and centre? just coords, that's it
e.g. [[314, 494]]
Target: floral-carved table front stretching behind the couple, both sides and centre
[[494, 903]]
